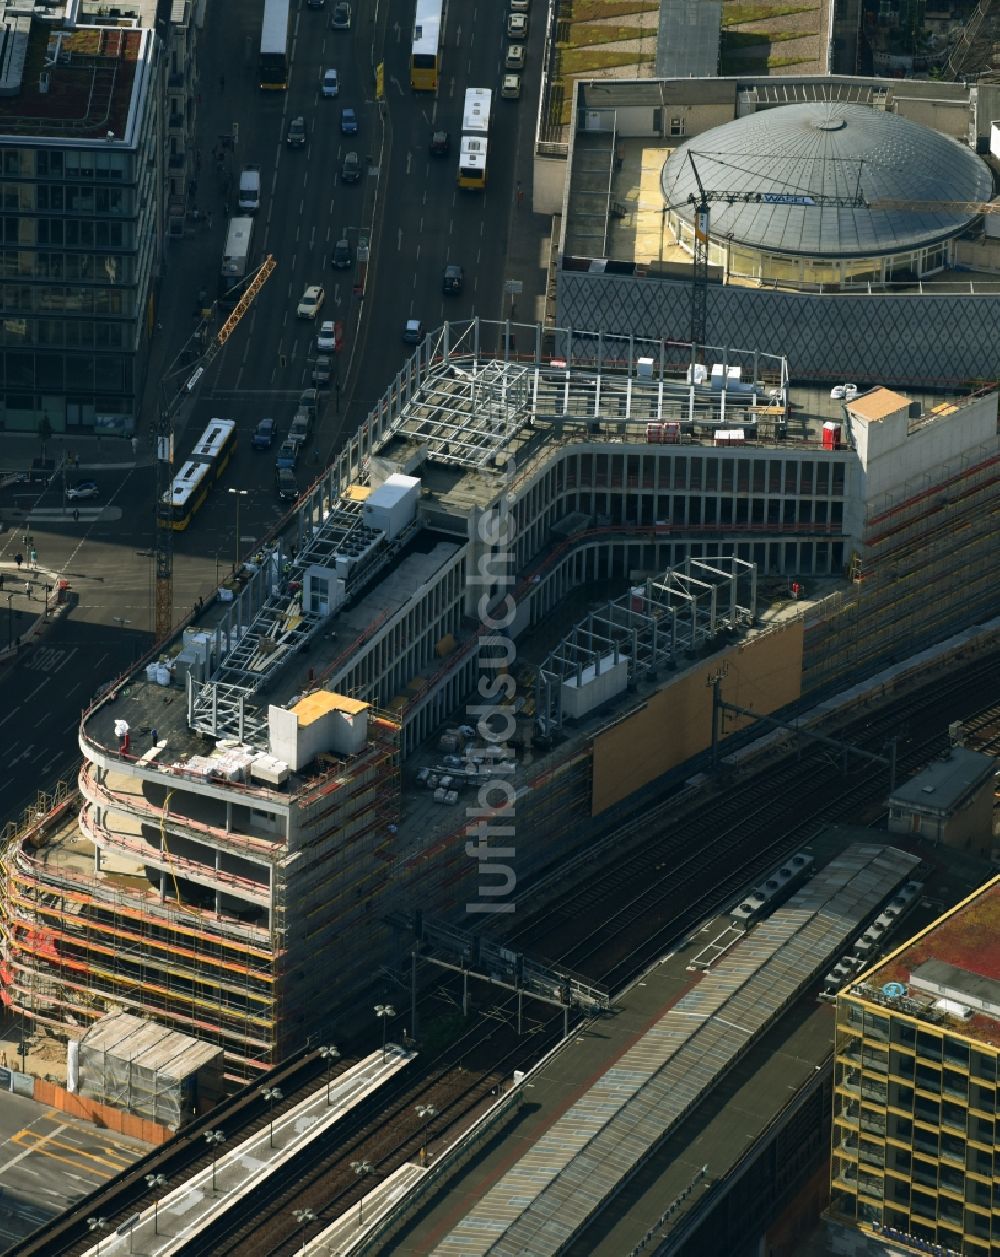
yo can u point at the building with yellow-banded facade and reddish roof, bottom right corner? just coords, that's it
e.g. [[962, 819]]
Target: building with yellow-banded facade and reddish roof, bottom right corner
[[915, 1103]]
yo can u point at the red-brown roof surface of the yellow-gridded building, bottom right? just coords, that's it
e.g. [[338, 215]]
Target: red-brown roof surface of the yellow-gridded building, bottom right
[[967, 938]]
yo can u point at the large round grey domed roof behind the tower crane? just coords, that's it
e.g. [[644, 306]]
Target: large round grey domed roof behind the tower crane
[[827, 149]]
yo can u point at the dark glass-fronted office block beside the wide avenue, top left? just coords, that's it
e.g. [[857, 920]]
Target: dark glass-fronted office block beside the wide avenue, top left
[[84, 212]]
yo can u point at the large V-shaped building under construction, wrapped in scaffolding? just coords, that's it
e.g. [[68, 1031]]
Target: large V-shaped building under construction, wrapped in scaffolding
[[506, 596]]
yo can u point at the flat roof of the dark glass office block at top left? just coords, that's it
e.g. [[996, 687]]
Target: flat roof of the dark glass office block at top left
[[71, 85]]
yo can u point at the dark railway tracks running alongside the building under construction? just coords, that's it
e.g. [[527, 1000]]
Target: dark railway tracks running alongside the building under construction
[[648, 902]]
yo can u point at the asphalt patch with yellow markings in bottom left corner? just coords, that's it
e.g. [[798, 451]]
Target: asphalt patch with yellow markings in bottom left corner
[[48, 1161]]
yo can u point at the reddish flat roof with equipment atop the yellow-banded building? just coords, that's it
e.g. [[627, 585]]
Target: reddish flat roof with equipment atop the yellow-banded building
[[968, 942]]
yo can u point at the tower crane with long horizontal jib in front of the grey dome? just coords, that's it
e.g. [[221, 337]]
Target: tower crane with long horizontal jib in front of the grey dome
[[700, 203]]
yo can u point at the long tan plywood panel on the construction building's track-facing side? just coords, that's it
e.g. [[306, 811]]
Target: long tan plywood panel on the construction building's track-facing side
[[677, 723]]
